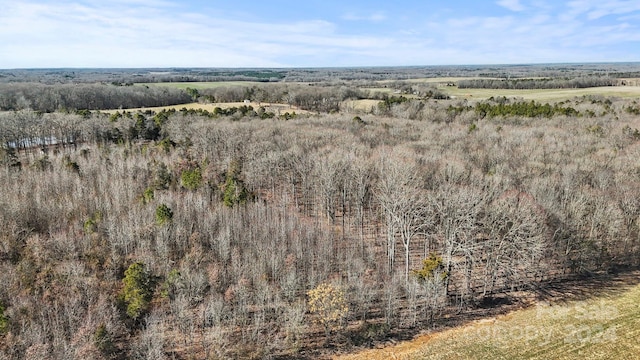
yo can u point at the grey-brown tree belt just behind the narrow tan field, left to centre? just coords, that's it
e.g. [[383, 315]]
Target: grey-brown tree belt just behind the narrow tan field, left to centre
[[321, 98]]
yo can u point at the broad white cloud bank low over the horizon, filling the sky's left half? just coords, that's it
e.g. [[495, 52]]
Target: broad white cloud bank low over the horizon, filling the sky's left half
[[79, 35]]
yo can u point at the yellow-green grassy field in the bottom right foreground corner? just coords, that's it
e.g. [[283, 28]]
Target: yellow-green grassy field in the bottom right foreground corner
[[603, 327]]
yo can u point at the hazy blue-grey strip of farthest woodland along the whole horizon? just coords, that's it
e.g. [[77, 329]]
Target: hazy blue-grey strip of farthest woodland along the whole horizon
[[316, 75]]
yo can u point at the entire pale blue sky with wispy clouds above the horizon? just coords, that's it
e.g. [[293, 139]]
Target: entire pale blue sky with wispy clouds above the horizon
[[314, 33]]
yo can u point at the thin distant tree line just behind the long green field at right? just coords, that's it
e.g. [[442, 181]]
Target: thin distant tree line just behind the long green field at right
[[546, 83]]
